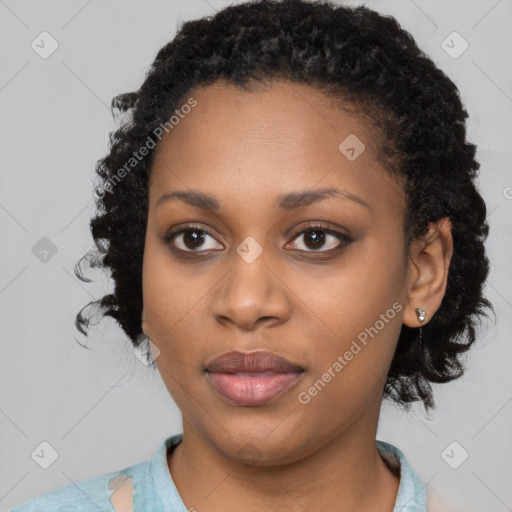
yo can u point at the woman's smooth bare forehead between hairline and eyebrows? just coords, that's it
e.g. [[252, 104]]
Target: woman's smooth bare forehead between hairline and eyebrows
[[260, 143]]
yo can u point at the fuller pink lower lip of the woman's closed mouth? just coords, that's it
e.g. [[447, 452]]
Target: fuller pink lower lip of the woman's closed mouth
[[244, 389]]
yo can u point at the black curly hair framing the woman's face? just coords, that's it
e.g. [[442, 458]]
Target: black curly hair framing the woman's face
[[368, 62]]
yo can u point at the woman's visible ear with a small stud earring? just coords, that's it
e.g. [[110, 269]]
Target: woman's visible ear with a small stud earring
[[429, 259]]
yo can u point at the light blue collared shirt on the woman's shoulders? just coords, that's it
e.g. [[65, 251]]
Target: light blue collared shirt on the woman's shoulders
[[154, 489]]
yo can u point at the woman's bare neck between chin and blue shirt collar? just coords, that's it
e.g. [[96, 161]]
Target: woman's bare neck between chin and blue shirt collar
[[347, 473]]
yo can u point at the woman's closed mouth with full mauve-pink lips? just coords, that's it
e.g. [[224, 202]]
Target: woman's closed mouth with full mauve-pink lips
[[251, 378]]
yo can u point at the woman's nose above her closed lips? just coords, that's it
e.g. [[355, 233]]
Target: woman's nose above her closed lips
[[251, 295]]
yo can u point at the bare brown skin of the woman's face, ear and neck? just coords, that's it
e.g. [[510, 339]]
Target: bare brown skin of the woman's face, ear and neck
[[245, 149]]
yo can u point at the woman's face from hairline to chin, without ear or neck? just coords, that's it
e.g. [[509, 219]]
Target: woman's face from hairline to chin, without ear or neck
[[249, 277]]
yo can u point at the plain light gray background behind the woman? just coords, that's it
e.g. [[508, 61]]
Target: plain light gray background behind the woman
[[101, 409]]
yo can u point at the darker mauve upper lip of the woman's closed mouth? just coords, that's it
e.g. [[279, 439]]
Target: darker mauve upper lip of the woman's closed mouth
[[257, 362]]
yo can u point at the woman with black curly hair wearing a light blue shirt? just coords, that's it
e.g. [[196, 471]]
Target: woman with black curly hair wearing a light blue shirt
[[290, 216]]
